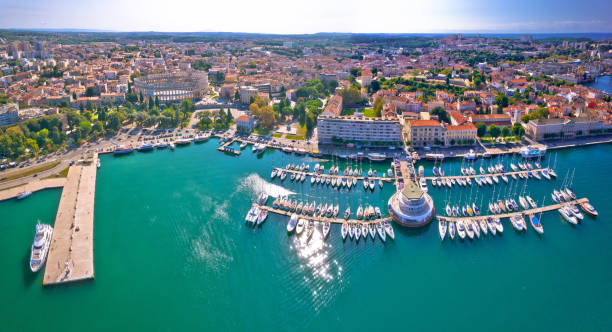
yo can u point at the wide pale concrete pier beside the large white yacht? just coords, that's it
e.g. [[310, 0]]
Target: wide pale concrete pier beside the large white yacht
[[71, 251]]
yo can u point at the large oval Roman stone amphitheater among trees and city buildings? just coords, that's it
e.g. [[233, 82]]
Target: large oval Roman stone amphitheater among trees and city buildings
[[173, 86]]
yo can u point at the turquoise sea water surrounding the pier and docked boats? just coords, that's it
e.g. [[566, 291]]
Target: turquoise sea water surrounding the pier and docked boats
[[172, 253]]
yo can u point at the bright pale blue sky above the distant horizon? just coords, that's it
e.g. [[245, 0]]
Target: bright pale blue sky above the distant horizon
[[281, 16]]
